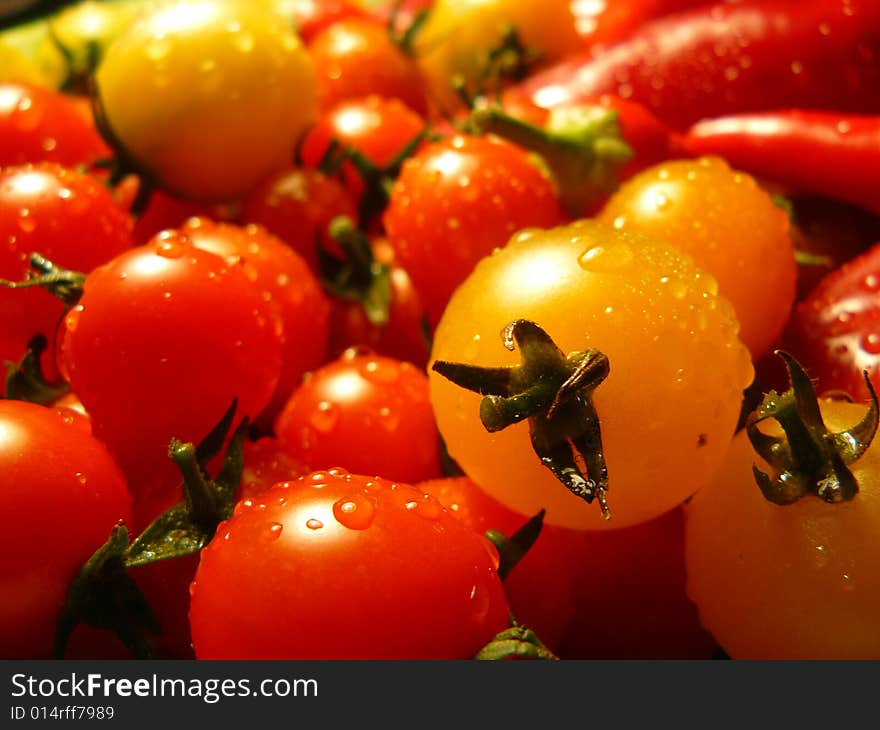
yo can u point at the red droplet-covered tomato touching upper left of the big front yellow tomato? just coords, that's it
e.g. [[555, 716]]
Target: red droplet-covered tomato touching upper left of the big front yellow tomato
[[457, 200]]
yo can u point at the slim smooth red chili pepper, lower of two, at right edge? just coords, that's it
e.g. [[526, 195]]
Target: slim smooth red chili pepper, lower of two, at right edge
[[824, 153]]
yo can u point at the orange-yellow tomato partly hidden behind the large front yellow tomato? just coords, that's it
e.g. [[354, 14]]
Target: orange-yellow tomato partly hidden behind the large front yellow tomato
[[731, 227]]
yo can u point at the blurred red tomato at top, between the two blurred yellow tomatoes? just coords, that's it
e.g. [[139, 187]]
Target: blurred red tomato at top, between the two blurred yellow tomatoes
[[357, 57]]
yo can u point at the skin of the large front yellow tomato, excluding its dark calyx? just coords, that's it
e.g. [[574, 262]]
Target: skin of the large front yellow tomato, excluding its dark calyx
[[670, 403]]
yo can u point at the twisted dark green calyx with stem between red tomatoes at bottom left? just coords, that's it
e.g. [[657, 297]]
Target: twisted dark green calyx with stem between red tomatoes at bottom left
[[104, 595]]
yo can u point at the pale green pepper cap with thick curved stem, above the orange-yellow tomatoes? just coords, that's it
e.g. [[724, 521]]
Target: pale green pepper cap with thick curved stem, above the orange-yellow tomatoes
[[582, 146]]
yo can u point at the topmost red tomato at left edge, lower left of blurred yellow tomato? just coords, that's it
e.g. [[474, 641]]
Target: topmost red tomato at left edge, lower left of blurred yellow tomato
[[38, 124]]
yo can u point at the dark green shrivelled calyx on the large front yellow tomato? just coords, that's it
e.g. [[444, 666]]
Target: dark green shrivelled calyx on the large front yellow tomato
[[554, 392]]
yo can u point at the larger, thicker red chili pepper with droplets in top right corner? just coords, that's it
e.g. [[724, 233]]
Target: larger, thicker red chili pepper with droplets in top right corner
[[733, 57]]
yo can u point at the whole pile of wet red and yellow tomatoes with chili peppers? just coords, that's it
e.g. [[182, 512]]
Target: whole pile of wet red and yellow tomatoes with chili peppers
[[343, 329]]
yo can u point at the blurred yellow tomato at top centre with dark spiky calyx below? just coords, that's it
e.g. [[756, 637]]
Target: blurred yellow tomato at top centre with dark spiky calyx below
[[459, 34]]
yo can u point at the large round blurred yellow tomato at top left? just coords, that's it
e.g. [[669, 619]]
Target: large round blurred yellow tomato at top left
[[208, 96]]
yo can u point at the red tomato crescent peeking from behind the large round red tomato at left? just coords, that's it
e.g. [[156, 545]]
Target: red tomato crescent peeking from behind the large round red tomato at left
[[288, 286]]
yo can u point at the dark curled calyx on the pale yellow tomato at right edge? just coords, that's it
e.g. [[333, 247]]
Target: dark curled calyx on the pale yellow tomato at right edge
[[809, 459]]
